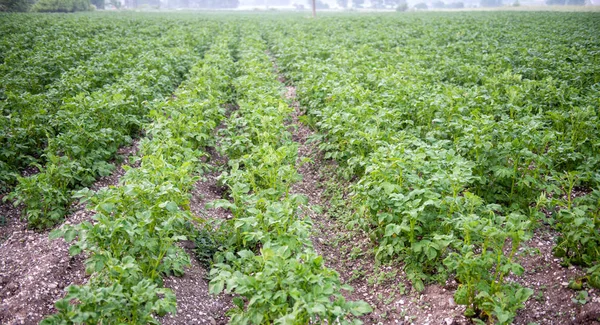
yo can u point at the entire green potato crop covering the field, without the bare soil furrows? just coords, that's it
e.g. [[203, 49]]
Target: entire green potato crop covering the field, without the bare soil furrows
[[454, 133]]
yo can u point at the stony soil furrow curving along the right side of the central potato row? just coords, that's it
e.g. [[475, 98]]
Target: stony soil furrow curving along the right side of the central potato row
[[346, 251]]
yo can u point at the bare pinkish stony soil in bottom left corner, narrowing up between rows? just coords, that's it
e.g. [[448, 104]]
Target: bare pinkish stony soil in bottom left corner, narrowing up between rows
[[34, 270]]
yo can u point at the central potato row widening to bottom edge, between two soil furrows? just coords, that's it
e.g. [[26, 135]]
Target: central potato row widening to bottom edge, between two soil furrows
[[266, 257]]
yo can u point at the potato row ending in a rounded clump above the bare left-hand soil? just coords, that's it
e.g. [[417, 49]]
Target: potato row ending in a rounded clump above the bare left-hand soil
[[89, 128]]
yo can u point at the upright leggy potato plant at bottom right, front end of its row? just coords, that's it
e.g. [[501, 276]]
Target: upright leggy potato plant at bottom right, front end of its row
[[486, 294]]
